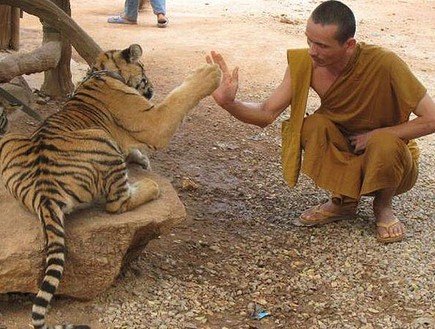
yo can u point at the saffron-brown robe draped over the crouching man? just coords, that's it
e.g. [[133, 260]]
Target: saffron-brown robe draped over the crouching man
[[376, 89]]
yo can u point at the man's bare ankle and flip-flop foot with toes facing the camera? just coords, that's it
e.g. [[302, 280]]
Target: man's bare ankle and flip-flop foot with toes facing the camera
[[389, 228]]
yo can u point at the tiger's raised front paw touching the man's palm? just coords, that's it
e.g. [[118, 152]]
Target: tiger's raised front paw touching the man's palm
[[205, 80]]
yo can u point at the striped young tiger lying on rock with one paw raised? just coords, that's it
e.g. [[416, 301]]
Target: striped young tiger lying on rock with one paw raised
[[79, 153]]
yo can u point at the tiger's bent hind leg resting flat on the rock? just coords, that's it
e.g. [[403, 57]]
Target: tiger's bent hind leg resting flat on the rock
[[123, 196]]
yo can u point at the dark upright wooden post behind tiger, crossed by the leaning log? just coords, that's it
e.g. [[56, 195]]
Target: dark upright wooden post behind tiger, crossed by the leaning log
[[58, 81]]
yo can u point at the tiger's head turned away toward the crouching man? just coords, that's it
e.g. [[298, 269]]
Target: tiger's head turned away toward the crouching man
[[128, 65]]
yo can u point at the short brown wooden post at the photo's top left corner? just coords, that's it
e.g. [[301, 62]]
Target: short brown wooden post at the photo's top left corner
[[9, 27]]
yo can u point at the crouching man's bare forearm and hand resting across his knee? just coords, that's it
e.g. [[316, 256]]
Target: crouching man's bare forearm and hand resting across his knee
[[422, 125]]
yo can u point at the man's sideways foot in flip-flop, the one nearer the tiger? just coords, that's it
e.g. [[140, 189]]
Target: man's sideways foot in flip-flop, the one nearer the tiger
[[321, 216]]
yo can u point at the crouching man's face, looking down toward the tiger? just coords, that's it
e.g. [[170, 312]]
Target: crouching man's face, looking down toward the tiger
[[324, 49]]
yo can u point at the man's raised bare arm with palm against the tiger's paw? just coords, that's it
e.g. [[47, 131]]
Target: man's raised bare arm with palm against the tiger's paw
[[260, 114]]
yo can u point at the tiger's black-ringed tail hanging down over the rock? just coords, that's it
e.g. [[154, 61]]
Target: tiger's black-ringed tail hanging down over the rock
[[52, 219]]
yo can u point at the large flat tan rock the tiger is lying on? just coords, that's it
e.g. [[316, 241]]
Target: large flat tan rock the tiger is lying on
[[98, 244]]
